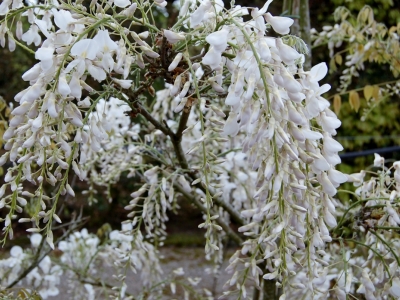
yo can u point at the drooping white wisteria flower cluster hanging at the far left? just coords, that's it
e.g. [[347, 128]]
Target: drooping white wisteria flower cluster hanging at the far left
[[53, 125]]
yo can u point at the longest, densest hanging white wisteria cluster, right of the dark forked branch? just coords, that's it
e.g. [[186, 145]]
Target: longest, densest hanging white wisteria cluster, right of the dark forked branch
[[272, 102]]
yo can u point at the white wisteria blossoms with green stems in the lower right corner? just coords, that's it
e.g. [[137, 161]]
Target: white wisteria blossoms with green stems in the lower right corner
[[372, 269]]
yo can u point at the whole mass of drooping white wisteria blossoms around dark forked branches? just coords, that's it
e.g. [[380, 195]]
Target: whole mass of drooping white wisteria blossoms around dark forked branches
[[252, 139]]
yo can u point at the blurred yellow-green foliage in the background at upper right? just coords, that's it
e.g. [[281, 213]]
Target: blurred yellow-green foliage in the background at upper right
[[365, 57]]
